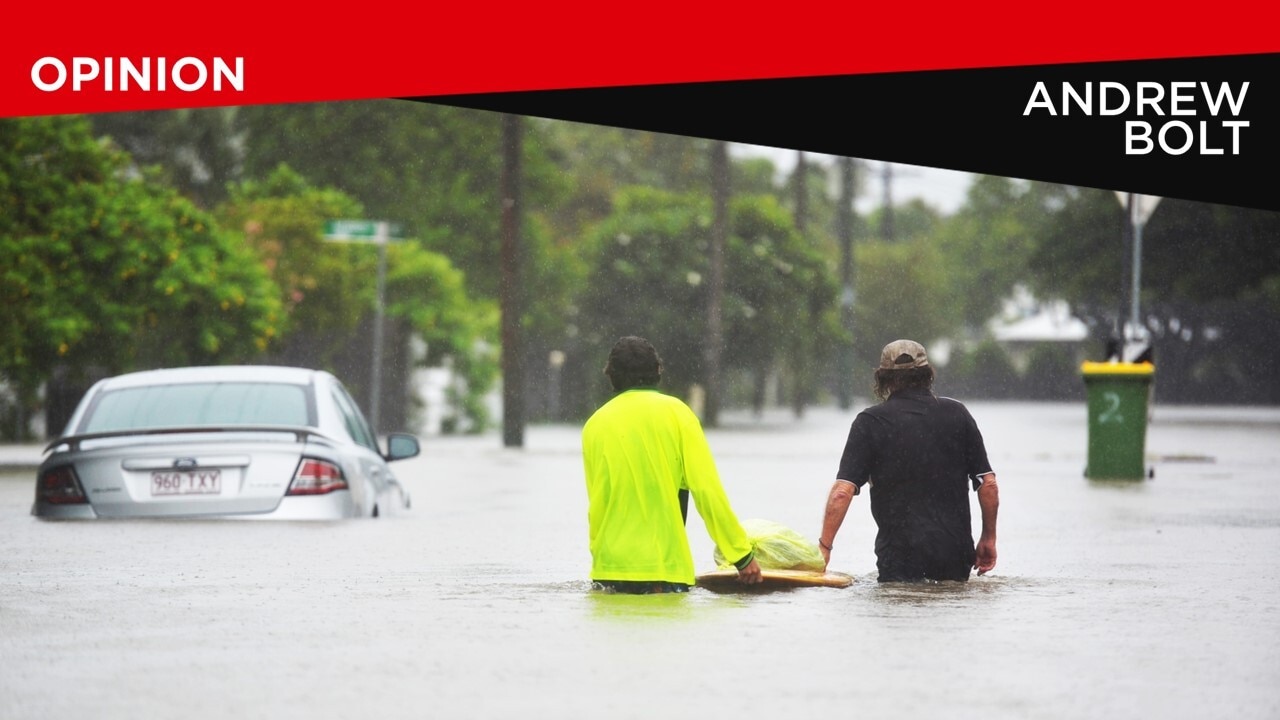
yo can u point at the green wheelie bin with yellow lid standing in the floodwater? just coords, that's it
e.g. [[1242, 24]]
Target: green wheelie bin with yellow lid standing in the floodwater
[[1119, 402]]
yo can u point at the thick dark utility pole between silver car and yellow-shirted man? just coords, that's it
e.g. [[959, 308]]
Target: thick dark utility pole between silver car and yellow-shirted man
[[513, 289]]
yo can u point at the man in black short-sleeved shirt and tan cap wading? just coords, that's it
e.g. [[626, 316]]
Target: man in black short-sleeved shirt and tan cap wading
[[921, 454]]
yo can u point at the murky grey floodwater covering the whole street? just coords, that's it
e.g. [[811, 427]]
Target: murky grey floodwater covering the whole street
[[1150, 599]]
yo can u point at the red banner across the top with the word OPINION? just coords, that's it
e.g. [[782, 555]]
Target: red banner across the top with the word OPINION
[[89, 58]]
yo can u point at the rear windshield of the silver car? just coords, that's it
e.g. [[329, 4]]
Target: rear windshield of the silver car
[[198, 405]]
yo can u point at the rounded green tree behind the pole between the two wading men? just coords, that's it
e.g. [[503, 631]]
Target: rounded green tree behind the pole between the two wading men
[[650, 279]]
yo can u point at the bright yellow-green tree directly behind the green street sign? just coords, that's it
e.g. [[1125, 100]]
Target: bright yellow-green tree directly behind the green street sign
[[330, 289]]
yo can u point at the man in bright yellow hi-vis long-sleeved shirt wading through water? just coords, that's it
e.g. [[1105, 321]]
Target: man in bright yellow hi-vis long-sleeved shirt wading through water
[[643, 450]]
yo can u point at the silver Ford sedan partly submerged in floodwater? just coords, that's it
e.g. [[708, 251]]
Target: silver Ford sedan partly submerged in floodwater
[[235, 441]]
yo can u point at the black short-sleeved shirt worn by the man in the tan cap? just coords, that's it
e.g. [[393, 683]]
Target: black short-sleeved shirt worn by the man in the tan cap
[[921, 455]]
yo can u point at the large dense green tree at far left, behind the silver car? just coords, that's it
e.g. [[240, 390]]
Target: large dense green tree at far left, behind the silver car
[[106, 274]]
